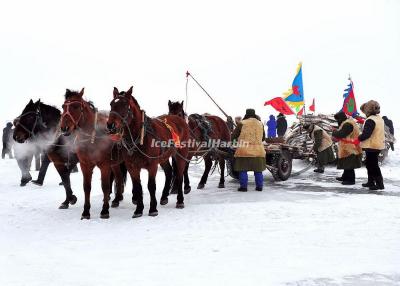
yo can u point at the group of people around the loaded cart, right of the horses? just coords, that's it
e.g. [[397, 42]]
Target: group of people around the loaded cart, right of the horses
[[351, 144]]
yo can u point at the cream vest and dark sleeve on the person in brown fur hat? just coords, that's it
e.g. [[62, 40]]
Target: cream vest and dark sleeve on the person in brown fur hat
[[373, 135]]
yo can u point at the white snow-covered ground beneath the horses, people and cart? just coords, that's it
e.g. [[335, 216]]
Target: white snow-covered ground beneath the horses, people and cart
[[306, 231]]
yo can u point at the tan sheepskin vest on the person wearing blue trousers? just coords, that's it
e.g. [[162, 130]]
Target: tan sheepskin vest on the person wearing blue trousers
[[250, 139]]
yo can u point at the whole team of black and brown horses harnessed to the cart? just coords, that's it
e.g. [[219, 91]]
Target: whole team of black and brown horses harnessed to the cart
[[118, 142]]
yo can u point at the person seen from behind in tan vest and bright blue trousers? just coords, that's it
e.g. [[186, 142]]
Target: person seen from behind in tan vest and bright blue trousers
[[250, 154]]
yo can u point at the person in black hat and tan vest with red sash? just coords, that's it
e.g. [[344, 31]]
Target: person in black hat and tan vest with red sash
[[349, 155]]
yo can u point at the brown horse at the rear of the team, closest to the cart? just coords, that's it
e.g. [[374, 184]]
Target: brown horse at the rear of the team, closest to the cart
[[217, 130]]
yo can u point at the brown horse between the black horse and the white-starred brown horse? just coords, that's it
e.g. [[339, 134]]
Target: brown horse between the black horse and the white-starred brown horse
[[93, 148]]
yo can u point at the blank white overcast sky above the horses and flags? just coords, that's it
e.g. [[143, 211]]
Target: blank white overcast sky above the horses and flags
[[243, 52]]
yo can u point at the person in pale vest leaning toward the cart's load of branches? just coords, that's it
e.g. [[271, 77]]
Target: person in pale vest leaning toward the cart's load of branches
[[323, 146]]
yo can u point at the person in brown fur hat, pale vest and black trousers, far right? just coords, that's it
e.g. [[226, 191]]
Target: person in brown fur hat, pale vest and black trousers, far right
[[372, 141]]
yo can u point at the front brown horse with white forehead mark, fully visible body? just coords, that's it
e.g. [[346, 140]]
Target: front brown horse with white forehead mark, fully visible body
[[143, 139]]
